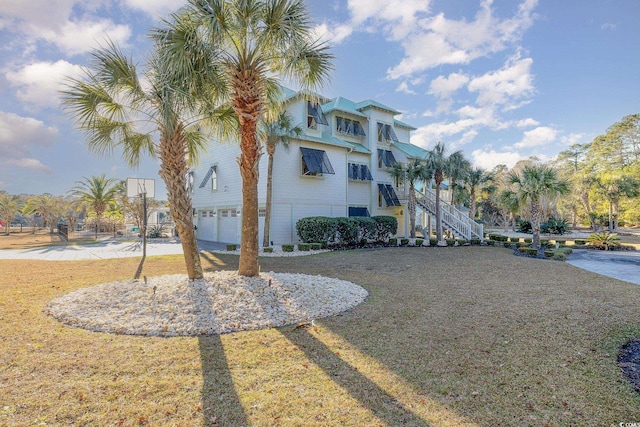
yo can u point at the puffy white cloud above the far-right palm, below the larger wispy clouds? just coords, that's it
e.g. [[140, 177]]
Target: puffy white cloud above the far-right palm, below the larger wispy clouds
[[504, 86]]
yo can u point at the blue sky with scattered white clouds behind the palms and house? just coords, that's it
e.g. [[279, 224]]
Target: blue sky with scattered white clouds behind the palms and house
[[500, 80]]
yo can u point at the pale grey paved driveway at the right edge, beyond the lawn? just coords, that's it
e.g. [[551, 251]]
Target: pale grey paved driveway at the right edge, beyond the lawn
[[622, 265]]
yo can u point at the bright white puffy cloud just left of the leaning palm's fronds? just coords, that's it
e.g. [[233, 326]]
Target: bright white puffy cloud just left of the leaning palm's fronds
[[38, 83]]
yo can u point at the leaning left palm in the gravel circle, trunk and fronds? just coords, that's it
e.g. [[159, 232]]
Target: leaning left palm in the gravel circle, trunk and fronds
[[115, 109]]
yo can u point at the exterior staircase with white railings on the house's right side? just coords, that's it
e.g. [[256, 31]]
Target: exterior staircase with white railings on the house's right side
[[454, 220]]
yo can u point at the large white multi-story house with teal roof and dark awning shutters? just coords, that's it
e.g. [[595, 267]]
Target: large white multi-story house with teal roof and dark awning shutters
[[337, 166]]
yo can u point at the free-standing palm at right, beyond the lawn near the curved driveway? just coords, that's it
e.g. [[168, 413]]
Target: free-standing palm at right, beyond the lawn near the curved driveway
[[532, 184]]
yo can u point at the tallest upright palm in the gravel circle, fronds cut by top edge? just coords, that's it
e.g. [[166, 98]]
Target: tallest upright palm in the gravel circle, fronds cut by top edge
[[241, 48]]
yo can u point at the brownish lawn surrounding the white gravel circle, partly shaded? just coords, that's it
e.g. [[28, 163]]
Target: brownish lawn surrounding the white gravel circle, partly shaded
[[531, 342]]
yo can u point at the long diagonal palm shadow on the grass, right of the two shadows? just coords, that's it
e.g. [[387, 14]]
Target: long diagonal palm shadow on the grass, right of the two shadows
[[369, 394]]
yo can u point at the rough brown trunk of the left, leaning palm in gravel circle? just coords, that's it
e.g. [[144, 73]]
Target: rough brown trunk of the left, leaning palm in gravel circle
[[174, 170]]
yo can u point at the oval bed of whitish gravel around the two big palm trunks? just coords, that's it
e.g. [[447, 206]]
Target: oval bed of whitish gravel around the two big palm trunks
[[222, 302]]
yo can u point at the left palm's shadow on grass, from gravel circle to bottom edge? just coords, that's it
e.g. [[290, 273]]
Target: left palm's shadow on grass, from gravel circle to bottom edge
[[220, 403]]
